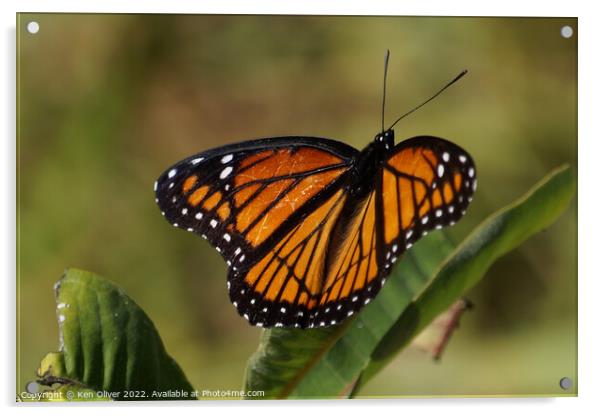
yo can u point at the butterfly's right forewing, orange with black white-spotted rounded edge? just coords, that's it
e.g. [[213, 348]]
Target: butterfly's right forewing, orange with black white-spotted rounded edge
[[427, 183]]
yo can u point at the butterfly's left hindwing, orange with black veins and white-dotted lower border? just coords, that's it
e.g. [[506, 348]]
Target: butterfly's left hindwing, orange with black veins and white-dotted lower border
[[283, 287]]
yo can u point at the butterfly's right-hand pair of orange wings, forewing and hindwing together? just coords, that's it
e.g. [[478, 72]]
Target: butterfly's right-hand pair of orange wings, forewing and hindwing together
[[426, 183]]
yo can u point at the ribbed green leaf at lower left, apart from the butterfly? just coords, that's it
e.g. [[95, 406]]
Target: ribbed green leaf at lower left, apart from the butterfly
[[108, 344]]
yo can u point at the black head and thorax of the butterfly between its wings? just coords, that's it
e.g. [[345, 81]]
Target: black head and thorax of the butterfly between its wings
[[368, 161]]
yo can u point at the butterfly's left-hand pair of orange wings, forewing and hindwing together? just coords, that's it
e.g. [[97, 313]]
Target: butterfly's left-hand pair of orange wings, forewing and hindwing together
[[267, 206]]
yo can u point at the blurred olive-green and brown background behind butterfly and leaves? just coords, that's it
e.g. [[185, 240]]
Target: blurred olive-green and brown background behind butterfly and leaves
[[107, 102]]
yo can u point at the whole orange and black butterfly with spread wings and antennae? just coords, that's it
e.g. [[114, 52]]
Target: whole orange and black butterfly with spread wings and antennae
[[310, 227]]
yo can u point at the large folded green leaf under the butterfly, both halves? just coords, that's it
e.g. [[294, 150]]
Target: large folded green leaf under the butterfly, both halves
[[327, 362]]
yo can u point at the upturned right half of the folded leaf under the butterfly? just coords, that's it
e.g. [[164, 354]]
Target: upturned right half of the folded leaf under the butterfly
[[495, 237]]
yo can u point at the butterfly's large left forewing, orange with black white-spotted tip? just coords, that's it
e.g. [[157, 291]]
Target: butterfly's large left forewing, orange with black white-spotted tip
[[243, 198]]
